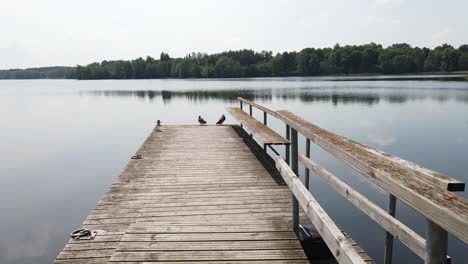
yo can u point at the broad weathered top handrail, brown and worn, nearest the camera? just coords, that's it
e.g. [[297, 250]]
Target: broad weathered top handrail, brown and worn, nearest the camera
[[444, 208]]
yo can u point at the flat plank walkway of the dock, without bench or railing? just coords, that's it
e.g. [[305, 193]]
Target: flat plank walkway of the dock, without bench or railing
[[198, 194]]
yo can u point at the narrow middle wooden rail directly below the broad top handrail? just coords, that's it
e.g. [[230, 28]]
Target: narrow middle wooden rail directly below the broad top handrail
[[407, 236]]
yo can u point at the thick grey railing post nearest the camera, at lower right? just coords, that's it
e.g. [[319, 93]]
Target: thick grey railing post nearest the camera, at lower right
[[436, 244]]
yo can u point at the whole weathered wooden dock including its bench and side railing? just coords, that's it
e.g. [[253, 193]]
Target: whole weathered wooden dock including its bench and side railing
[[213, 194]]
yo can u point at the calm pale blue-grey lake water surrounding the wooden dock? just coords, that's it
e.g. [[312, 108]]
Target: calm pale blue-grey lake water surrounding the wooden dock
[[63, 142]]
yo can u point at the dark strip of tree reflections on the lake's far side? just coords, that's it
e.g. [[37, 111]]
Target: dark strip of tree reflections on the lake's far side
[[266, 95]]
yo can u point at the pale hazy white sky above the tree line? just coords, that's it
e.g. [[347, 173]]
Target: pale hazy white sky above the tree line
[[67, 32]]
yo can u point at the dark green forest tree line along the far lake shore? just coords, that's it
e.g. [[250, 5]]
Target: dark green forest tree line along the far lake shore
[[362, 59]]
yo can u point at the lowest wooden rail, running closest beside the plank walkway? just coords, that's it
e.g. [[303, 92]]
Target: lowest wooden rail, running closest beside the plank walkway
[[330, 233]]
